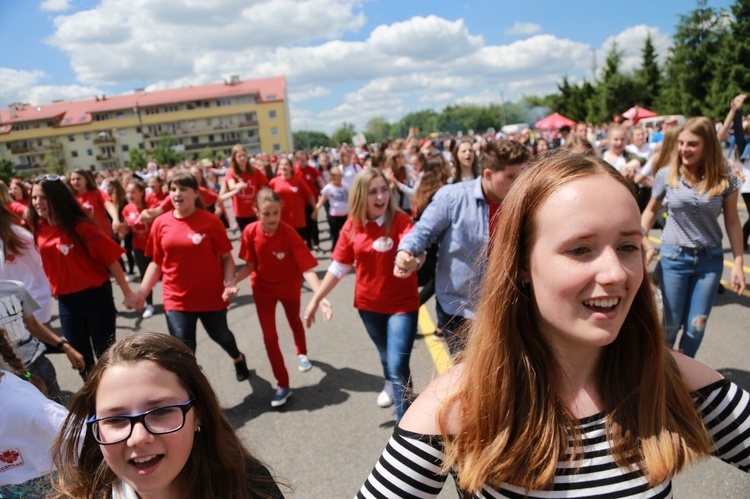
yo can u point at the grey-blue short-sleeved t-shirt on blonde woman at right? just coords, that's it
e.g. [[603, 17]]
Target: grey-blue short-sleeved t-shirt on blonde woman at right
[[692, 219]]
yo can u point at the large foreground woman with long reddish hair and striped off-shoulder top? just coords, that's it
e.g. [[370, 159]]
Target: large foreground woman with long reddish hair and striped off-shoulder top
[[566, 388]]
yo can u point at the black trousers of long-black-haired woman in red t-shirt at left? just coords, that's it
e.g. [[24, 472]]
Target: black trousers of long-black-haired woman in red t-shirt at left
[[88, 319]]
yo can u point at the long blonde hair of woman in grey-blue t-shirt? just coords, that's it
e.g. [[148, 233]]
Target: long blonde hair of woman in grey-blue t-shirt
[[715, 176]]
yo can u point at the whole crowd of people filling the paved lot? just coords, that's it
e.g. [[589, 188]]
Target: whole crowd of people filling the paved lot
[[535, 247]]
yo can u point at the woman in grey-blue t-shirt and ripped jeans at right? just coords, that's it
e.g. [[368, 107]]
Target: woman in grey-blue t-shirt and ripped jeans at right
[[698, 186]]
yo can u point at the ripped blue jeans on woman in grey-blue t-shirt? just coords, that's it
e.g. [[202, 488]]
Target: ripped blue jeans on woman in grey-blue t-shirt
[[689, 279]]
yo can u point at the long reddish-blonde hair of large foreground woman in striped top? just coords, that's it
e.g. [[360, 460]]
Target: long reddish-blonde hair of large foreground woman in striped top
[[511, 426]]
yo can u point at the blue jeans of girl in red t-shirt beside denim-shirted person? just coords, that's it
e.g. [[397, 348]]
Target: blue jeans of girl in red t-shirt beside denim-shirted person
[[394, 335]]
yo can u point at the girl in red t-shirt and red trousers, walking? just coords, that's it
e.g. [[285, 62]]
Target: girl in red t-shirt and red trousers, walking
[[277, 259]]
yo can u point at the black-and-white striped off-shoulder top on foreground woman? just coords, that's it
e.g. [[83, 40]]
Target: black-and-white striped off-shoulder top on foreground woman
[[410, 466]]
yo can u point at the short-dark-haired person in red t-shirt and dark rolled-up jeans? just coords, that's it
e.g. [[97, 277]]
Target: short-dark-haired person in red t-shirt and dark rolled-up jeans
[[192, 254]]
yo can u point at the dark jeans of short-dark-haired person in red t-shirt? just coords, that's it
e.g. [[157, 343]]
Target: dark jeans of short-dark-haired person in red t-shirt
[[182, 325]]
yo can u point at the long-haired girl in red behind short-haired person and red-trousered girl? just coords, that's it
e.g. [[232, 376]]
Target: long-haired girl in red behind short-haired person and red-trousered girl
[[248, 180]]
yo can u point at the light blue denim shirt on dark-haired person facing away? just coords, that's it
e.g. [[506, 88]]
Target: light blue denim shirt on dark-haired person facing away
[[458, 220]]
